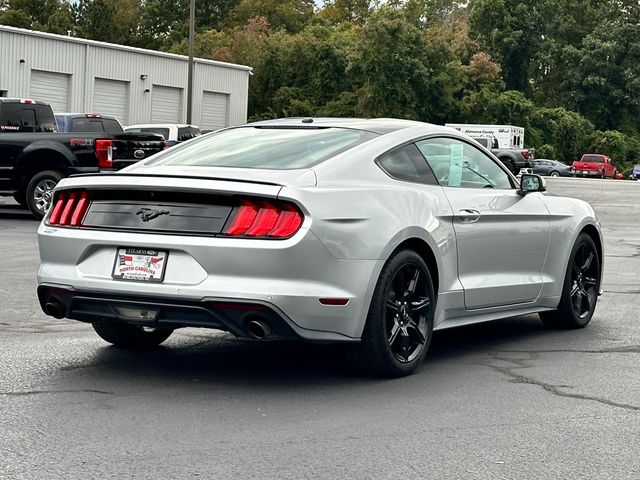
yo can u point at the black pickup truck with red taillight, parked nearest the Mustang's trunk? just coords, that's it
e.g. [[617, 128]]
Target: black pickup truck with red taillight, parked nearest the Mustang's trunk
[[35, 156]]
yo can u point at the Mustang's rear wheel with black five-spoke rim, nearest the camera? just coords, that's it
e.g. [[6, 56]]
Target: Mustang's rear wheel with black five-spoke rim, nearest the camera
[[399, 324]]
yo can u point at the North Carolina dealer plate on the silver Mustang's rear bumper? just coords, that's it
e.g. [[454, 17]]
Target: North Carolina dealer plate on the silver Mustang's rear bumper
[[140, 264]]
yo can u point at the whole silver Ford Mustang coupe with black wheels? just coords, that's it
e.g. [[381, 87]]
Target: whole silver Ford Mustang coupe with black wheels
[[370, 231]]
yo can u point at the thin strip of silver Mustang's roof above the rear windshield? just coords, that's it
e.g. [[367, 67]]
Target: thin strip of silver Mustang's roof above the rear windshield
[[376, 125]]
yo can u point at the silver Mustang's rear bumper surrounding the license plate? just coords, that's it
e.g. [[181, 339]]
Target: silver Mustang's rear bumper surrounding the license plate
[[288, 277]]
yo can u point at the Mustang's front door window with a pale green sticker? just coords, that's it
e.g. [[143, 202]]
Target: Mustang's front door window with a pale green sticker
[[459, 164]]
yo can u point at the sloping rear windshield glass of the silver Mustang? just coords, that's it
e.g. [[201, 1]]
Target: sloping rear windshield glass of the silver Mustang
[[266, 147]]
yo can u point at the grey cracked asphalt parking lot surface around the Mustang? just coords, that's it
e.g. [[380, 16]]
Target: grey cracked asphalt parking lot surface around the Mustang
[[507, 400]]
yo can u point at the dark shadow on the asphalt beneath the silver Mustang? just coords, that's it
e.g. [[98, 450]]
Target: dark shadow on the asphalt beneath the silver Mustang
[[223, 359]]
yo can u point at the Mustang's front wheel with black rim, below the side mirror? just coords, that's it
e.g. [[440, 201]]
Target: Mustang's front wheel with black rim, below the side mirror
[[581, 287]]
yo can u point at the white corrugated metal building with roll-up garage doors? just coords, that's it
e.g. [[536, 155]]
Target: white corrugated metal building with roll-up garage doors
[[133, 84]]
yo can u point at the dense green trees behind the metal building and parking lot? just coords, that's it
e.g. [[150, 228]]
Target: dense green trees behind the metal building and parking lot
[[569, 72]]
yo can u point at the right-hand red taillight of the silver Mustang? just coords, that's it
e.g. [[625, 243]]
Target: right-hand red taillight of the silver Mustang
[[264, 219]]
